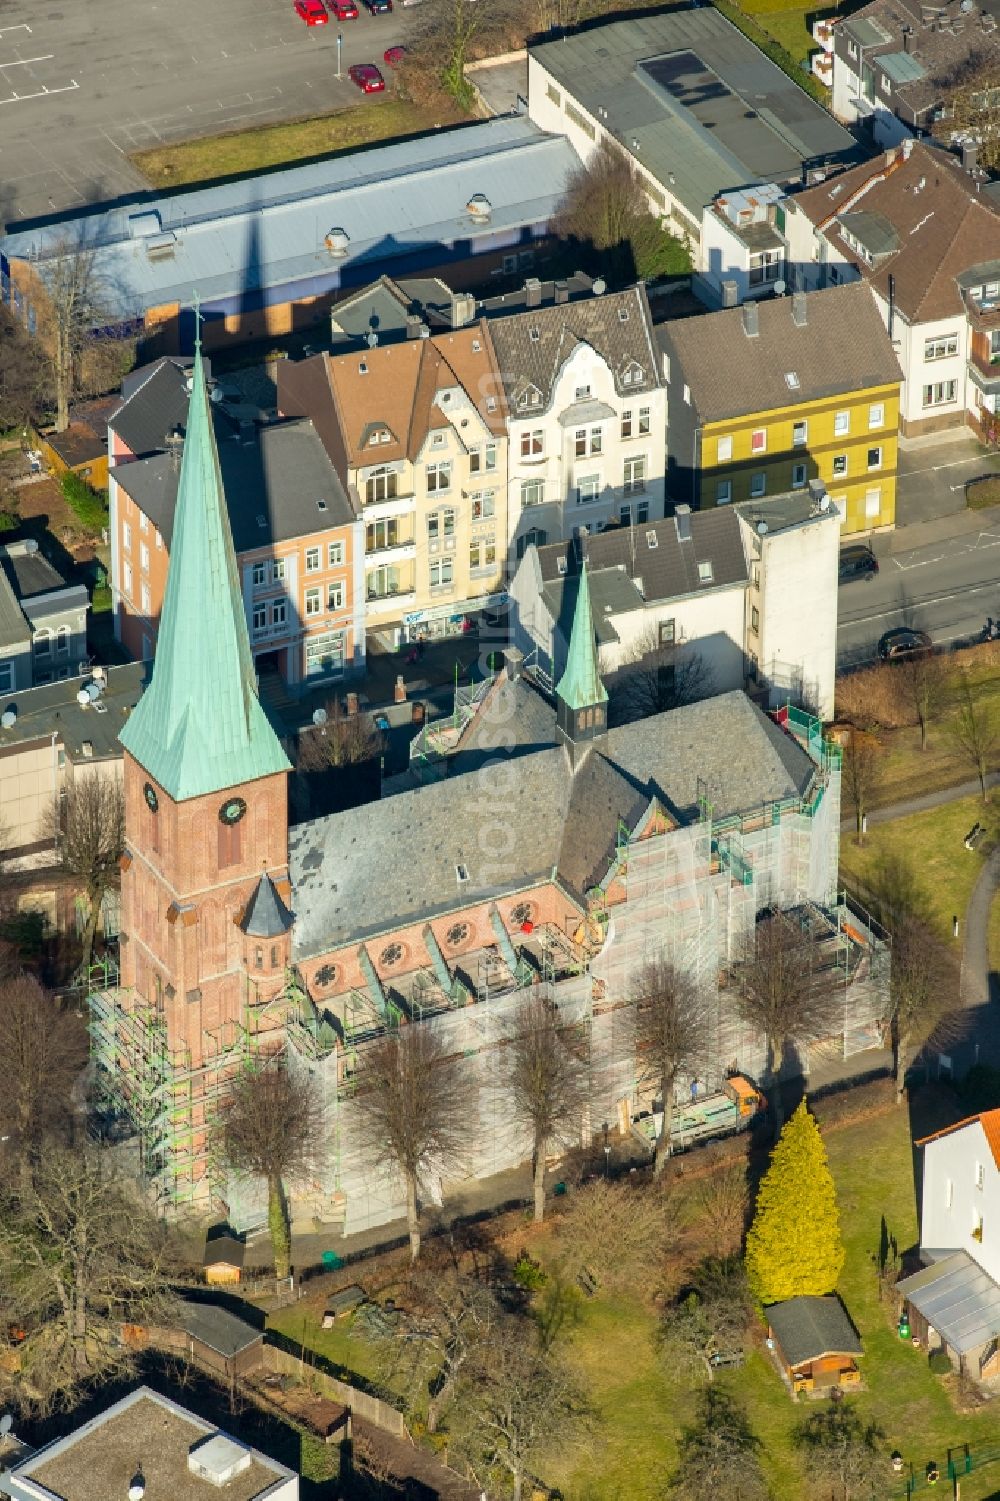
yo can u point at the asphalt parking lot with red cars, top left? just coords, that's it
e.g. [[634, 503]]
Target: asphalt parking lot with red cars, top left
[[83, 85]]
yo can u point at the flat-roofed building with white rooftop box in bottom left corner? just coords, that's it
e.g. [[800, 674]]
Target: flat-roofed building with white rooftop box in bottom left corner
[[146, 1443]]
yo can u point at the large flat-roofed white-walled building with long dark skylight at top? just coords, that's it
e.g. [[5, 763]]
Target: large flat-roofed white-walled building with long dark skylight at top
[[691, 103]]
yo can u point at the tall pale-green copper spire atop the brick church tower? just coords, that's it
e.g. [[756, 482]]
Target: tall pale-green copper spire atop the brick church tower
[[199, 727]]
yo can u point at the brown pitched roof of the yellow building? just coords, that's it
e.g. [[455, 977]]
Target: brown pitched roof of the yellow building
[[842, 347]]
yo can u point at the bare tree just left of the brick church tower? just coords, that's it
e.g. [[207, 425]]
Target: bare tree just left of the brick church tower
[[89, 835]]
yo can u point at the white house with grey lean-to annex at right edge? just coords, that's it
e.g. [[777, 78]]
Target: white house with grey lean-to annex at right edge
[[954, 1302]]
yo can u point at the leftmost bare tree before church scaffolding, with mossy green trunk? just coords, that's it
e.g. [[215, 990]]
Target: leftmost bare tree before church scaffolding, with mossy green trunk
[[271, 1130]]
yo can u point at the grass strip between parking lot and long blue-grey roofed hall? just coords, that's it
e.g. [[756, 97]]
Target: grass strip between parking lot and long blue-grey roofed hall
[[244, 152]]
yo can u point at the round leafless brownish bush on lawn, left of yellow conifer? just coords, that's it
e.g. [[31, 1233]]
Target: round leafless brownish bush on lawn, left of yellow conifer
[[615, 1233]]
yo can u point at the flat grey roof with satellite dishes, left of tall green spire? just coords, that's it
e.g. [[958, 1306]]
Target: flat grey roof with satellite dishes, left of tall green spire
[[53, 709]]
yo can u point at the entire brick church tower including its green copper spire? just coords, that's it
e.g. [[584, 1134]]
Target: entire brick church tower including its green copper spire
[[206, 915]]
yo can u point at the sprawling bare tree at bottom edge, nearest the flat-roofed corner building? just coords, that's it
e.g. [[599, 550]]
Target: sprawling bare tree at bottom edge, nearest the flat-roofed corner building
[[513, 1401]]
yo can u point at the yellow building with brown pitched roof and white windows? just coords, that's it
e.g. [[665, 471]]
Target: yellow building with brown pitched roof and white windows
[[776, 394]]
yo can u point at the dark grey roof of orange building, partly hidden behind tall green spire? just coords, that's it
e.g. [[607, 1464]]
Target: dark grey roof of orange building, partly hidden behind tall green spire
[[274, 480]]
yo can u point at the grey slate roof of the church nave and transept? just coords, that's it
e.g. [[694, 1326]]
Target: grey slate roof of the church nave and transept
[[562, 823]]
